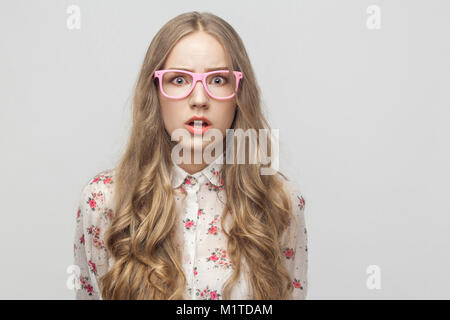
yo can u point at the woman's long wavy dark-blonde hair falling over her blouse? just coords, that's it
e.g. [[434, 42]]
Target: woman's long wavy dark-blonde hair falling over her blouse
[[141, 241]]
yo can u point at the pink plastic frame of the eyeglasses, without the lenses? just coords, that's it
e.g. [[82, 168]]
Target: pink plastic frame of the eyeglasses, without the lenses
[[196, 77]]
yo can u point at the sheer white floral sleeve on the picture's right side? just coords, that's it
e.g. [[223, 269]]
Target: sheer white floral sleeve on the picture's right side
[[295, 245]]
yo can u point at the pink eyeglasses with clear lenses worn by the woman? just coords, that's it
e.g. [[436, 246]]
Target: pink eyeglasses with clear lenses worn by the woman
[[178, 84]]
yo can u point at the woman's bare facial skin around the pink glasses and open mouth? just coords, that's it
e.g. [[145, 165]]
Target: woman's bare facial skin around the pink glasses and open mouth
[[196, 53]]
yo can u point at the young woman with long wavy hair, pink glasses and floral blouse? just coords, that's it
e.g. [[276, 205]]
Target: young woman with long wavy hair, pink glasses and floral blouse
[[152, 228]]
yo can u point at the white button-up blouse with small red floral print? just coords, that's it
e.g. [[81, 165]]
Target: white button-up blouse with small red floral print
[[205, 260]]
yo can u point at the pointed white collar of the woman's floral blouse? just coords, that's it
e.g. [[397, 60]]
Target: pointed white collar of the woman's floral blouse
[[211, 172]]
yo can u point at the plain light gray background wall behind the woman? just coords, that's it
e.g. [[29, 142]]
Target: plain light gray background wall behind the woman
[[363, 118]]
